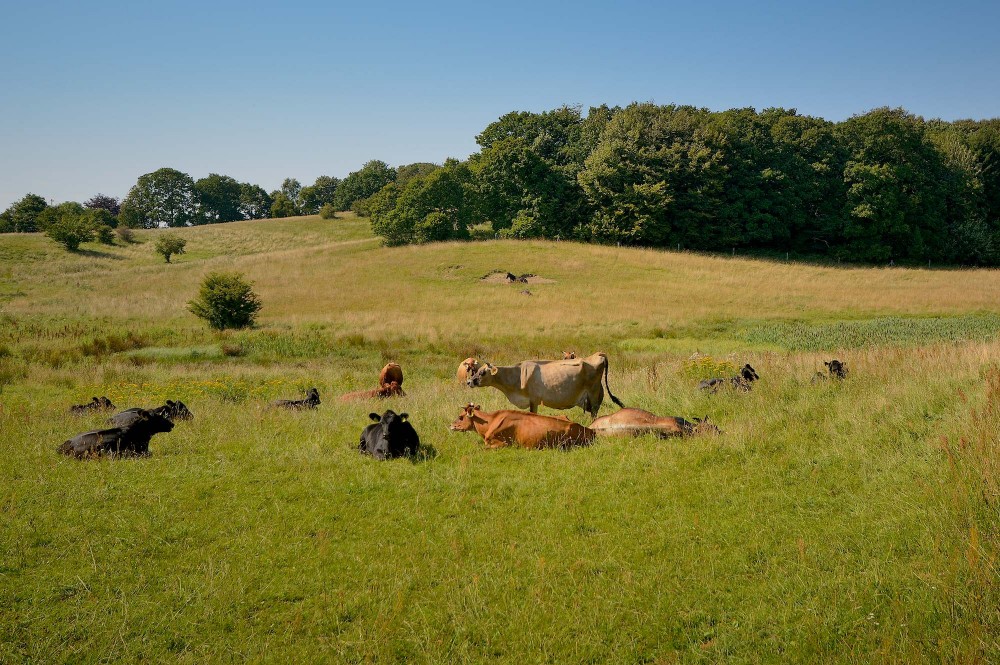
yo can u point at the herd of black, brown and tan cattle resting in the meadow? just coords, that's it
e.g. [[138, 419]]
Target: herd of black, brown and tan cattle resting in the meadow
[[558, 384]]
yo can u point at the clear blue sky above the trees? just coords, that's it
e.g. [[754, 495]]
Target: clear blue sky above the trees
[[92, 95]]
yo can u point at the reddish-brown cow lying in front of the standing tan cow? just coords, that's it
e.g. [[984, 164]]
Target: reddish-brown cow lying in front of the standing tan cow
[[517, 428]]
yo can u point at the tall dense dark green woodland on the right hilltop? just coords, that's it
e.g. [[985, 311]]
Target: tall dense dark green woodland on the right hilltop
[[883, 186]]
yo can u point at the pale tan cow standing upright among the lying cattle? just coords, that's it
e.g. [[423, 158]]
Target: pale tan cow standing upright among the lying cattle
[[558, 384]]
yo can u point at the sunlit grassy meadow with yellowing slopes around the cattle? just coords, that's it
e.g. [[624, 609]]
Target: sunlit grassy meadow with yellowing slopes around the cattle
[[834, 522]]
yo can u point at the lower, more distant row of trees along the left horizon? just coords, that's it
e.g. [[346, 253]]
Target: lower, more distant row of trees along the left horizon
[[168, 197]]
